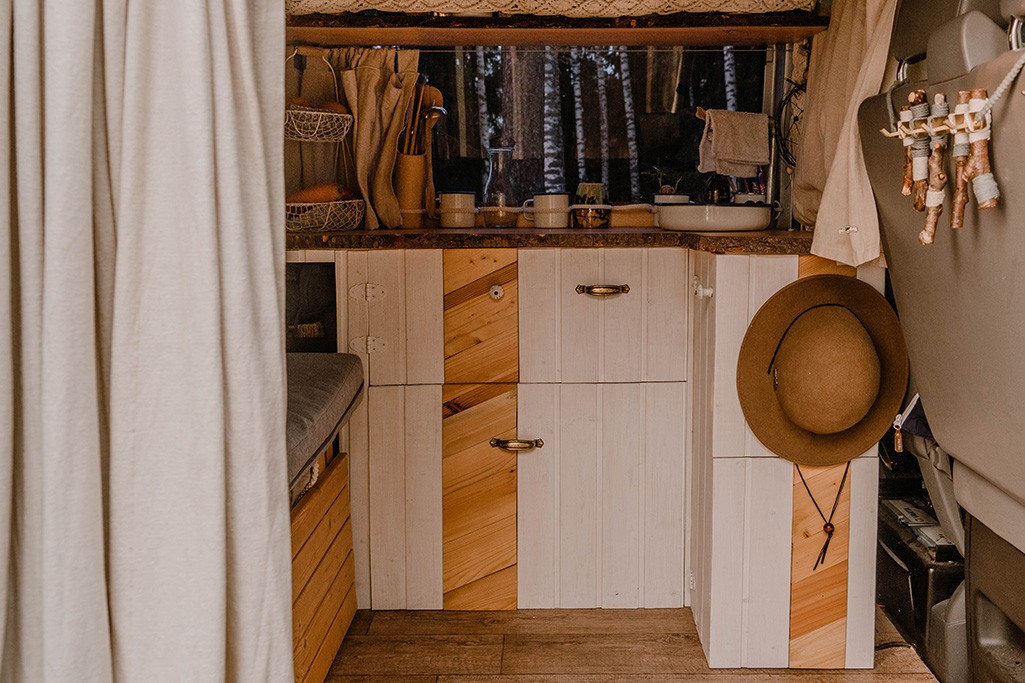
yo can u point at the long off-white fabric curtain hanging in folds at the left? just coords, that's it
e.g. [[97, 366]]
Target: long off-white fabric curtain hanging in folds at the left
[[144, 518]]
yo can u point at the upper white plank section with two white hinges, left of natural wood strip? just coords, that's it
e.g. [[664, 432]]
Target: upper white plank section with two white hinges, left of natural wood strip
[[390, 312]]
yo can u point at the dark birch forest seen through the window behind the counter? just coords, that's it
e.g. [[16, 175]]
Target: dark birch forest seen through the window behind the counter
[[621, 116]]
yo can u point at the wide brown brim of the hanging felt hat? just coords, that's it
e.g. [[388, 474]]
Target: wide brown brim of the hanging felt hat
[[755, 383]]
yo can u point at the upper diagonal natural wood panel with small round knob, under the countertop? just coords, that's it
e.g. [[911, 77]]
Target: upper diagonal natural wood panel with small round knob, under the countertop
[[481, 333]]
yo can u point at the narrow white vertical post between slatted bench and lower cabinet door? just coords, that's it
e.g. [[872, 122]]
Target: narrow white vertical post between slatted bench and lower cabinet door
[[359, 498]]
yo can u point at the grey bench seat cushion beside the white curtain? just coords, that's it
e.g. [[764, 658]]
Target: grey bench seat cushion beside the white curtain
[[323, 391]]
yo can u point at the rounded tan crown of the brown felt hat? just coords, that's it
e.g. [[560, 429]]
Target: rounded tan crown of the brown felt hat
[[827, 372]]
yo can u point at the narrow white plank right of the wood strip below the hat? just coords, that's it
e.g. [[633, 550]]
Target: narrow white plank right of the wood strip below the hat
[[862, 567]]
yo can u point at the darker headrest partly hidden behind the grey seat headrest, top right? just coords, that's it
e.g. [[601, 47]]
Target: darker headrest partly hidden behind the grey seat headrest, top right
[[918, 19]]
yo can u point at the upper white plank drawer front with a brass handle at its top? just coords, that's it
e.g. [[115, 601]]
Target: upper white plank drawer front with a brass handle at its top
[[566, 337]]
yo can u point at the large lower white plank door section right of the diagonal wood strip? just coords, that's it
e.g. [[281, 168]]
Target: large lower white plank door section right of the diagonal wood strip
[[601, 506]]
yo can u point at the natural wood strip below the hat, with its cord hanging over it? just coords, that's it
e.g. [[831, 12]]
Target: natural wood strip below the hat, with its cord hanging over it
[[818, 597]]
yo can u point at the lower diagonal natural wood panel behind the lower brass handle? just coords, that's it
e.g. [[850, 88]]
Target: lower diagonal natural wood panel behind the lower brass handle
[[479, 486]]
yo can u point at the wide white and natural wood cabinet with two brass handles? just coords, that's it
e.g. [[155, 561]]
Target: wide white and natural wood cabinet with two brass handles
[[469, 345]]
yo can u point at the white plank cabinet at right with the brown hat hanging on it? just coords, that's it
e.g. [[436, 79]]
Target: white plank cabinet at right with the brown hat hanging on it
[[757, 600]]
